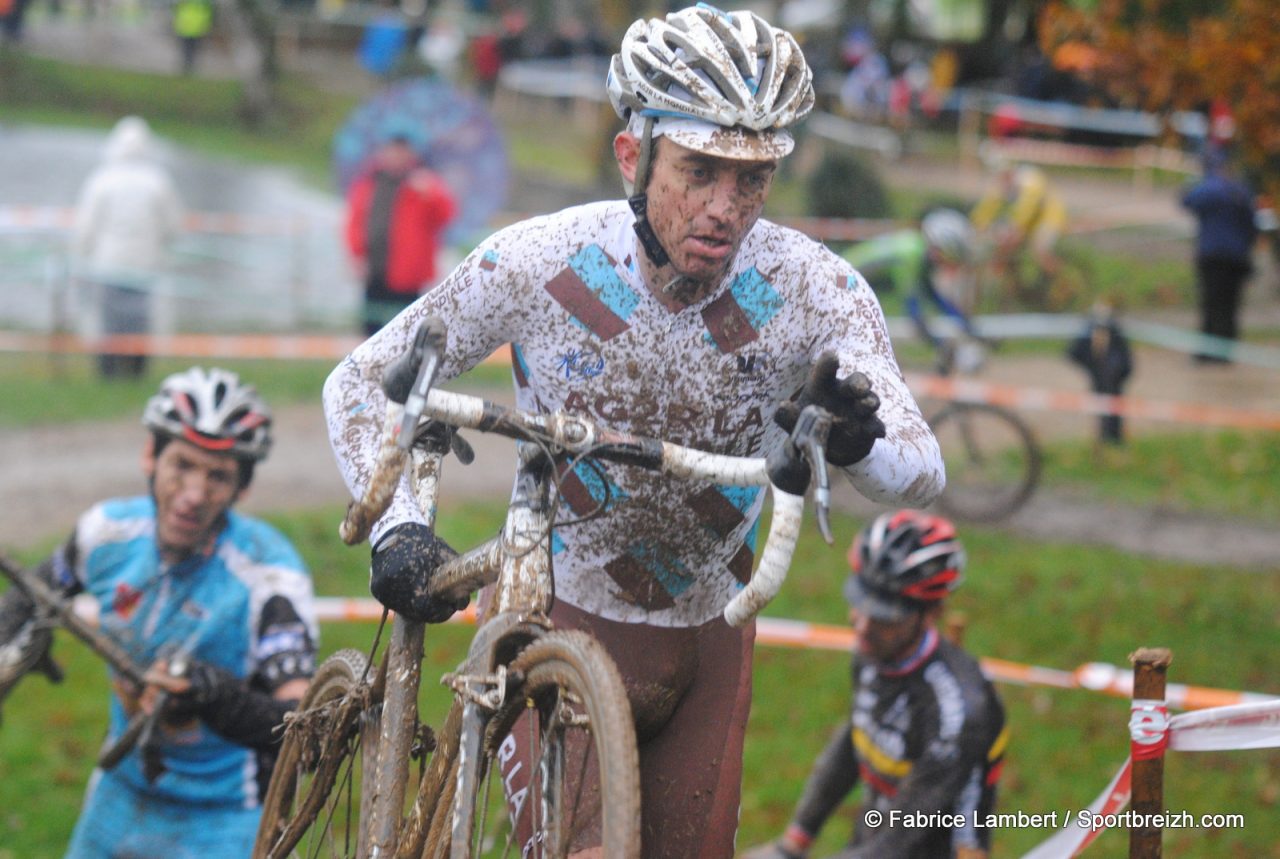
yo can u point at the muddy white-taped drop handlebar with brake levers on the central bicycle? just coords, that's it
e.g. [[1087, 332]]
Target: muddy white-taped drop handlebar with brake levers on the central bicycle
[[578, 436]]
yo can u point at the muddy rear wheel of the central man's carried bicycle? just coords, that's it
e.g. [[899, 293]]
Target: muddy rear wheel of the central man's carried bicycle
[[313, 803]]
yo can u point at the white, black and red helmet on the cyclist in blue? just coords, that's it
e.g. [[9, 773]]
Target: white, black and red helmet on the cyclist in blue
[[213, 410]]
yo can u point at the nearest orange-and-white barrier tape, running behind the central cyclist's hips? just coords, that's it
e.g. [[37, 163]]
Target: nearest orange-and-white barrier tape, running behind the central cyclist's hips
[[775, 632]]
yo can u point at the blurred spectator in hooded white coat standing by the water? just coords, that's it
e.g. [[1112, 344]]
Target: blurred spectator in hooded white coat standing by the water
[[129, 213]]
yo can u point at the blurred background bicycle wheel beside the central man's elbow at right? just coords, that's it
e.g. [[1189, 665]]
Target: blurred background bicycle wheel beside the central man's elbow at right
[[993, 459]]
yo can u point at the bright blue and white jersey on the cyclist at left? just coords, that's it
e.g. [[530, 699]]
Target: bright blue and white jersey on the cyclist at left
[[244, 605]]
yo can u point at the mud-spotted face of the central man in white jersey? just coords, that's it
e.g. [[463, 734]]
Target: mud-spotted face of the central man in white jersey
[[703, 207]]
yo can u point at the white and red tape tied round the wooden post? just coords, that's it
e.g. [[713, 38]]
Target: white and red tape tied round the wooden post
[[1222, 729]]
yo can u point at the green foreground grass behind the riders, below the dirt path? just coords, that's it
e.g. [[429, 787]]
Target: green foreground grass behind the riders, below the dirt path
[[1041, 604]]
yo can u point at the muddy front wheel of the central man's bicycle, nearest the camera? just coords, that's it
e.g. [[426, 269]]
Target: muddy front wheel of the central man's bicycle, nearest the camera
[[560, 767]]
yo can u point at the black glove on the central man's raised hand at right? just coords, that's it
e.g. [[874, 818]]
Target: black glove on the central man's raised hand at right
[[853, 406]]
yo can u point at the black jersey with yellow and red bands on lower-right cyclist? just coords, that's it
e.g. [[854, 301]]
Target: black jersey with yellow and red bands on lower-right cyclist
[[926, 739]]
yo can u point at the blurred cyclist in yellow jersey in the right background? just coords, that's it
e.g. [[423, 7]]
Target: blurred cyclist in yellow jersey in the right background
[[1022, 213]]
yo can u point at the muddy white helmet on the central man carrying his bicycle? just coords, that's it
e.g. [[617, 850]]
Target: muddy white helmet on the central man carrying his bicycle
[[701, 71]]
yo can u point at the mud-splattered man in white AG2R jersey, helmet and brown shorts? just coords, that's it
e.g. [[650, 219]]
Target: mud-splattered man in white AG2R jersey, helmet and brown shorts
[[678, 314]]
